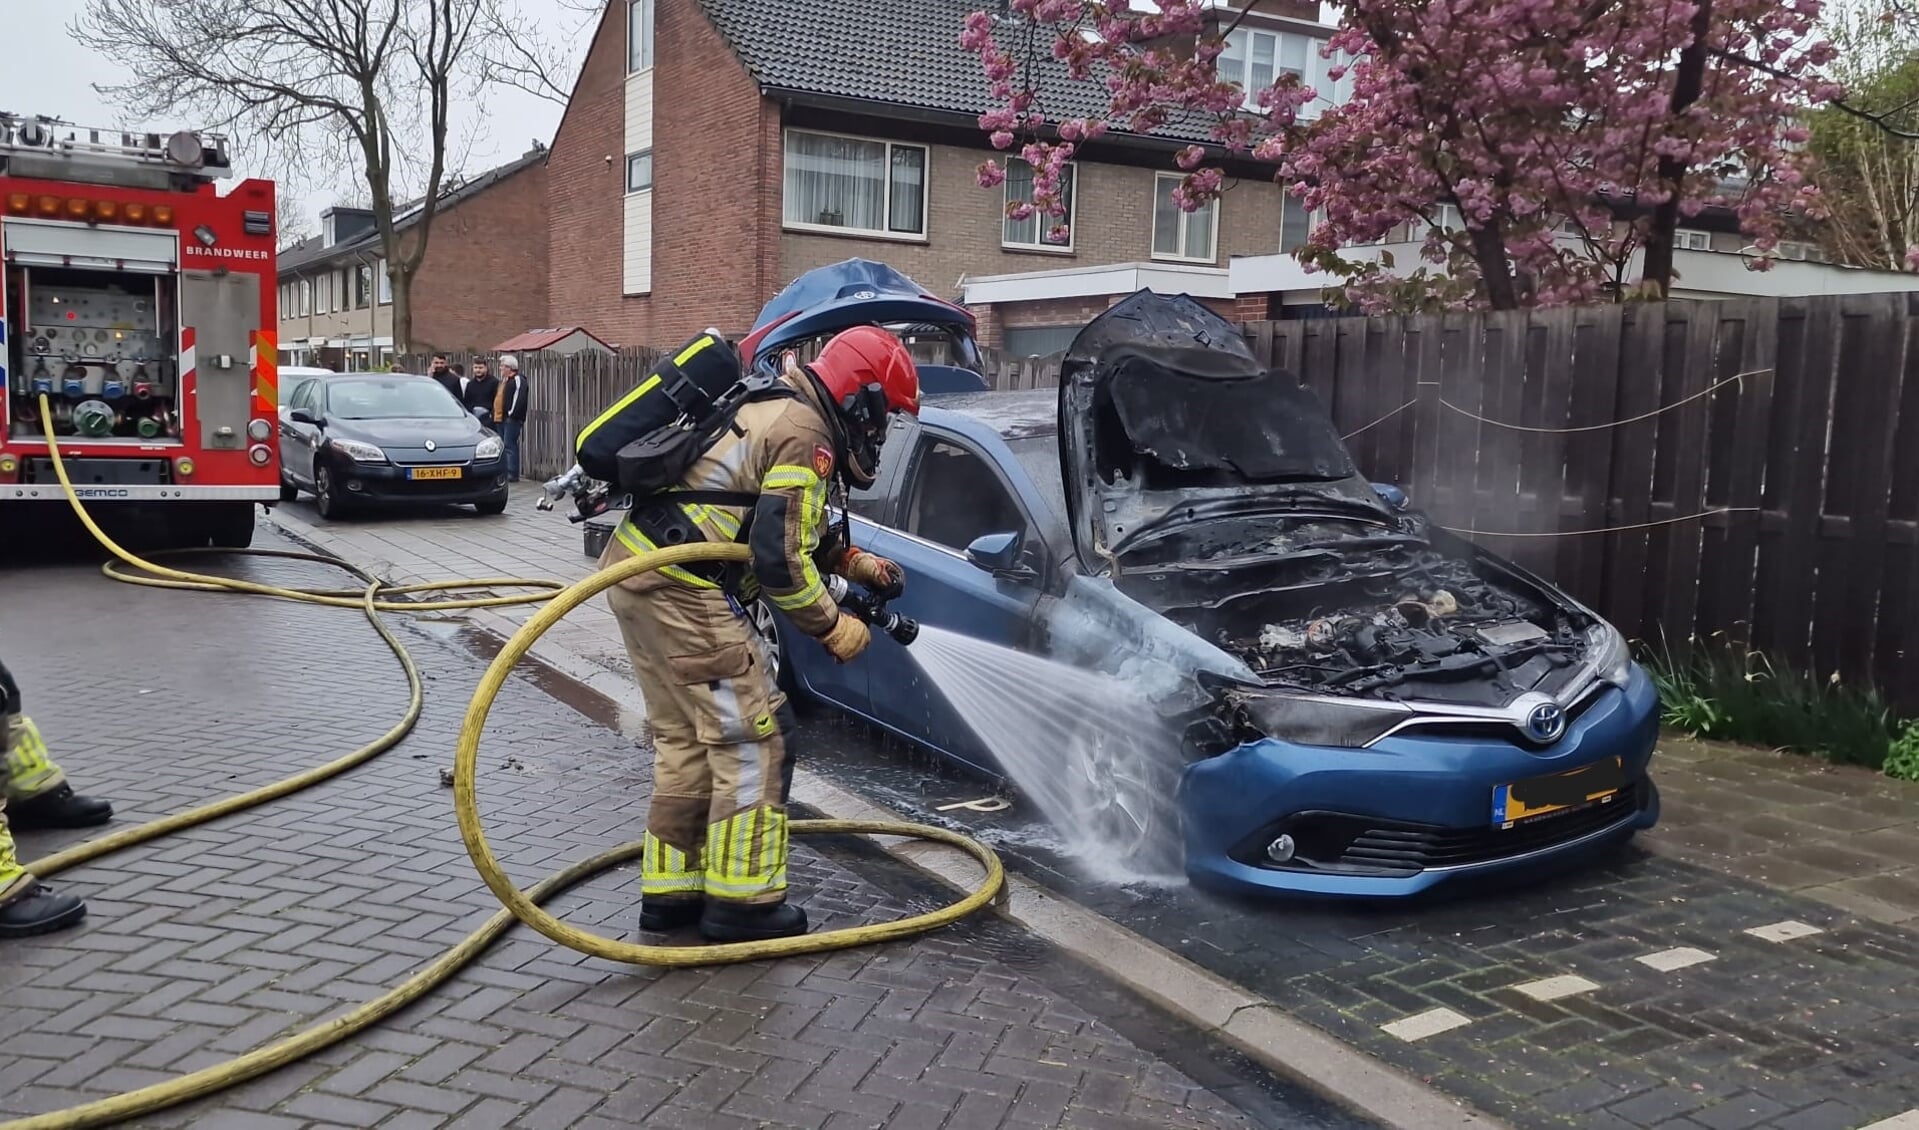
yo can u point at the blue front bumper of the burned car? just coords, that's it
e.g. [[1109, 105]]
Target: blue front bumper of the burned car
[[1413, 812]]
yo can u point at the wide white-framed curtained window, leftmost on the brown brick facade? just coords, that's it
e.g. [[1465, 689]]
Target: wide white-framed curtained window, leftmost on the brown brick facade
[[855, 185]]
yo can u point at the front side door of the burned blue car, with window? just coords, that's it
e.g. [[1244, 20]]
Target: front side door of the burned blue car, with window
[[957, 490]]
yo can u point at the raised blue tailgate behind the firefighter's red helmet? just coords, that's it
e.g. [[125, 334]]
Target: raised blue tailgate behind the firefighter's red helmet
[[861, 293]]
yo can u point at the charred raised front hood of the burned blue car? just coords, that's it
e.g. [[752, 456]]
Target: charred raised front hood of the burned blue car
[[1168, 419]]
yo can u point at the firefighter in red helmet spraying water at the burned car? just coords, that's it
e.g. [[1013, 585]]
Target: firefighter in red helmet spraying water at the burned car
[[724, 734]]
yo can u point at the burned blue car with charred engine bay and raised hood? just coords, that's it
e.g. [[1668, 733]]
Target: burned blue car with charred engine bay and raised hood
[[1363, 705]]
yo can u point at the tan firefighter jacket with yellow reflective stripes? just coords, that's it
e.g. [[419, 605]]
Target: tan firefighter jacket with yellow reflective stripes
[[780, 450]]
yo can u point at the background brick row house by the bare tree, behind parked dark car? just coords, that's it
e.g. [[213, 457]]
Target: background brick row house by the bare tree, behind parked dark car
[[485, 271]]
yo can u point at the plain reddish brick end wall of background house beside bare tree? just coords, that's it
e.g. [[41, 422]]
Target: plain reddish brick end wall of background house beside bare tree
[[485, 277]]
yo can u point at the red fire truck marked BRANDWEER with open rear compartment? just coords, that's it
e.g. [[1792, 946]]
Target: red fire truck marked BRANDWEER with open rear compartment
[[141, 304]]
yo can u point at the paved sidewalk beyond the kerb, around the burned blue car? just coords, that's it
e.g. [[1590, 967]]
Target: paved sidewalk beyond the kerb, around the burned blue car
[[1751, 972]]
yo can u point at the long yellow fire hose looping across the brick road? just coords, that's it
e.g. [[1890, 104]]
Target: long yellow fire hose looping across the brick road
[[519, 905]]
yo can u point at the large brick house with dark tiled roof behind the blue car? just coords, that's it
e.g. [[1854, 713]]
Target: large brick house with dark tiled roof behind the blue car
[[734, 145]]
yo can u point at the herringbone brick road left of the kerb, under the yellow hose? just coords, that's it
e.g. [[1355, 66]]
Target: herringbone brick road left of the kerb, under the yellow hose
[[225, 937]]
